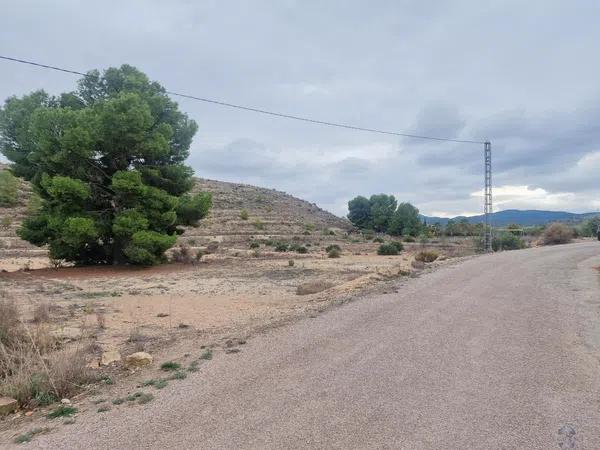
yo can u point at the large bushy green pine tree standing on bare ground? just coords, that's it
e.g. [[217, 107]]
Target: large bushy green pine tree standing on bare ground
[[107, 162]]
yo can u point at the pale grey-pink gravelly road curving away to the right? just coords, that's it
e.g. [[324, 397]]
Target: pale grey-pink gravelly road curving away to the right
[[500, 351]]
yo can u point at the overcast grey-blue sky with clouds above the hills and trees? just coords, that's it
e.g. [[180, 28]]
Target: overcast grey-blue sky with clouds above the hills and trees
[[523, 75]]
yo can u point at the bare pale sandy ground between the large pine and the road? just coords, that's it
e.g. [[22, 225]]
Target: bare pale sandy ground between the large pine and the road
[[218, 295]]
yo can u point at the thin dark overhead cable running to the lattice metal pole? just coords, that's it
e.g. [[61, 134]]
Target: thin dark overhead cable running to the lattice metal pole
[[262, 111]]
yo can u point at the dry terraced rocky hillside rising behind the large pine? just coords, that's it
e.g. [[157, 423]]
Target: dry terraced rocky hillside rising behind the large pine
[[271, 214]]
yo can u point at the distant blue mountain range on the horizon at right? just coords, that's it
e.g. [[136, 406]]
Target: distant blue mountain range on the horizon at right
[[522, 217]]
